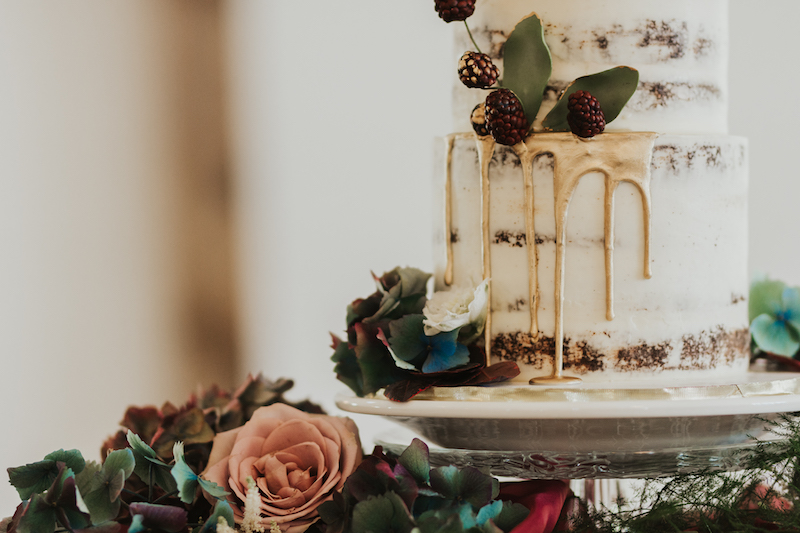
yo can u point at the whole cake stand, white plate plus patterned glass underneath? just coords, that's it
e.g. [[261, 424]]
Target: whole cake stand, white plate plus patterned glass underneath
[[591, 432]]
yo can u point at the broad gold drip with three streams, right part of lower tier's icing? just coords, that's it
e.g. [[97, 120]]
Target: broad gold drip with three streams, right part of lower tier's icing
[[619, 157]]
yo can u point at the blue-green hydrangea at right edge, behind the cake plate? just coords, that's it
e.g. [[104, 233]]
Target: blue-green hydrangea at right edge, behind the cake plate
[[775, 317]]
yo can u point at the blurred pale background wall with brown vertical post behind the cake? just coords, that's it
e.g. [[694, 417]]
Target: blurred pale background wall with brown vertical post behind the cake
[[191, 190]]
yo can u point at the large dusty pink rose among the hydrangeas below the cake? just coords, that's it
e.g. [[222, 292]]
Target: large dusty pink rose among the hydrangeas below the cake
[[296, 459]]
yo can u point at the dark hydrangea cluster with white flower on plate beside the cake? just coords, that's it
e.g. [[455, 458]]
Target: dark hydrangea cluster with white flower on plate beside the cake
[[400, 341]]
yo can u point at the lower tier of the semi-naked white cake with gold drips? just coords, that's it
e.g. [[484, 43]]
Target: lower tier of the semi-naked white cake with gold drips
[[691, 316]]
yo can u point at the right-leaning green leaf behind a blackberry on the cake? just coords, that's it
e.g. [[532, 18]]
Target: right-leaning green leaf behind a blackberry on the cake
[[612, 88]]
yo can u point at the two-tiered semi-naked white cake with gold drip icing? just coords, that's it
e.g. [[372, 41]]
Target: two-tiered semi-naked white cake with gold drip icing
[[623, 256]]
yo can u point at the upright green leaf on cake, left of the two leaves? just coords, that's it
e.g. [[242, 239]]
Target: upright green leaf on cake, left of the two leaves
[[527, 64]]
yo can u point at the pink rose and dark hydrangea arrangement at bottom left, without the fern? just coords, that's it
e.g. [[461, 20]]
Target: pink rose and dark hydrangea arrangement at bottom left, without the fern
[[250, 461]]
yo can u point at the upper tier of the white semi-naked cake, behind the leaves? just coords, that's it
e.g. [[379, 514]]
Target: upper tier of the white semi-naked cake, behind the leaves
[[679, 47]]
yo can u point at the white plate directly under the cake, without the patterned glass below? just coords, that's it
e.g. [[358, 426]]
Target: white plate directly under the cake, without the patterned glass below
[[593, 419]]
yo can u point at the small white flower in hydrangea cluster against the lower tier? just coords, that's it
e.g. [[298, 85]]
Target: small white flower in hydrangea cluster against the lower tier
[[455, 308]]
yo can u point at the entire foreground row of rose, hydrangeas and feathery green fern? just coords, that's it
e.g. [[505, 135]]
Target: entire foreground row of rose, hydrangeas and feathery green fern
[[249, 461]]
